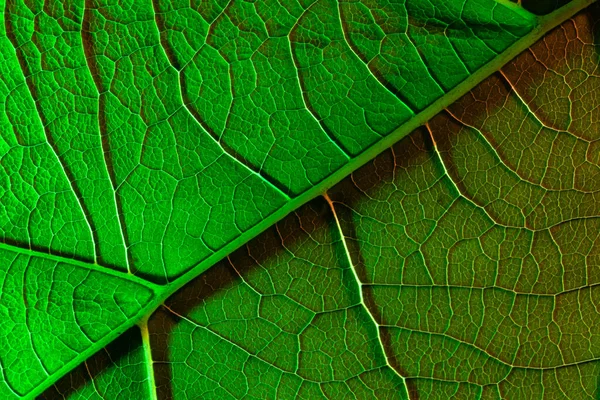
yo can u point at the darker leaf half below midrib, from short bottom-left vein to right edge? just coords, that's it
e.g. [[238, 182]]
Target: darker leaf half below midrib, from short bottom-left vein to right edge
[[463, 262]]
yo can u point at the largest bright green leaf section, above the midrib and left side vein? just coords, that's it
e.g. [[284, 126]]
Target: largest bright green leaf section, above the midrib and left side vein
[[146, 135]]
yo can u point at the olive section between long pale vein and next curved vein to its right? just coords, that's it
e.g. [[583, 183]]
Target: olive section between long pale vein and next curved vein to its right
[[469, 307]]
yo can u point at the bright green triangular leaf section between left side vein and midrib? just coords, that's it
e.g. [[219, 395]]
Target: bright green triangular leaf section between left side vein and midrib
[[52, 311]]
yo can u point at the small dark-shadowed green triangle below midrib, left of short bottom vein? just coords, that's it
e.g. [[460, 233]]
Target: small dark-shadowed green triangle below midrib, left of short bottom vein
[[118, 373]]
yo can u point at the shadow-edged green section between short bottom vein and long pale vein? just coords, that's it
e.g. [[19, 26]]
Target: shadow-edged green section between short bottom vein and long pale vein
[[281, 318]]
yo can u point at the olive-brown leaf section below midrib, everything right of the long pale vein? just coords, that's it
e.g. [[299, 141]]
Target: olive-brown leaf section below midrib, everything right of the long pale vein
[[478, 236]]
